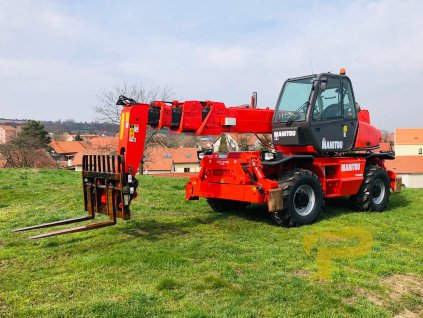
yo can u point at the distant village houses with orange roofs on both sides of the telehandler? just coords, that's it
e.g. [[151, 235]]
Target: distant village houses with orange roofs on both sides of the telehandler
[[182, 157]]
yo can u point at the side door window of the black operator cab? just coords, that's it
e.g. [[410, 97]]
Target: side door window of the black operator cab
[[328, 103]]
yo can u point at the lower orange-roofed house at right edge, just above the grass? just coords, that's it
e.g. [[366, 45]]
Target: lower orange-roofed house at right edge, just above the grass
[[410, 168]]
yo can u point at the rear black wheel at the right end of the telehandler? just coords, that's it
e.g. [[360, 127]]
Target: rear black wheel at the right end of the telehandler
[[374, 192]]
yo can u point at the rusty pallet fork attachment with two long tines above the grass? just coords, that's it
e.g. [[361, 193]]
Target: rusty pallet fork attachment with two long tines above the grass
[[107, 190]]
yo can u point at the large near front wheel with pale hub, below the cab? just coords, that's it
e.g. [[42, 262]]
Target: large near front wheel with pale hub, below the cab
[[302, 198]]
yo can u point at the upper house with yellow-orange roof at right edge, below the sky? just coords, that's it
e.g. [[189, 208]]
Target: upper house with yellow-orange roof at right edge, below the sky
[[409, 142]]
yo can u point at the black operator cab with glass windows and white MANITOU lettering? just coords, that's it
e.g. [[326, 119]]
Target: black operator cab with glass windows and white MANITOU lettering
[[316, 110]]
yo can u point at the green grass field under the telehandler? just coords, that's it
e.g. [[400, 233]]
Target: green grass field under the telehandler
[[181, 259]]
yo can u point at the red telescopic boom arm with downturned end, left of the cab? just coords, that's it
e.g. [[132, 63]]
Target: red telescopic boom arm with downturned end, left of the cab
[[200, 118]]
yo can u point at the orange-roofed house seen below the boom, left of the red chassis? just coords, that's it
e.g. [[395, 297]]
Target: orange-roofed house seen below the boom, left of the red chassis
[[171, 160]]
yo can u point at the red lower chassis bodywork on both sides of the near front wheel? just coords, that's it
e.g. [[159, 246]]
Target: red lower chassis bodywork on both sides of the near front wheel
[[230, 177]]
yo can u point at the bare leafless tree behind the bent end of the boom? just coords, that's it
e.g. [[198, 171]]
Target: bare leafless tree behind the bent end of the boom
[[109, 112]]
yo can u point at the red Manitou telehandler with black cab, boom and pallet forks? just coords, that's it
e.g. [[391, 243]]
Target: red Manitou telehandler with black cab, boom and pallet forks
[[324, 147]]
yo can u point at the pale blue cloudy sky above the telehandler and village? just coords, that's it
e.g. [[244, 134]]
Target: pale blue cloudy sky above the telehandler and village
[[57, 56]]
